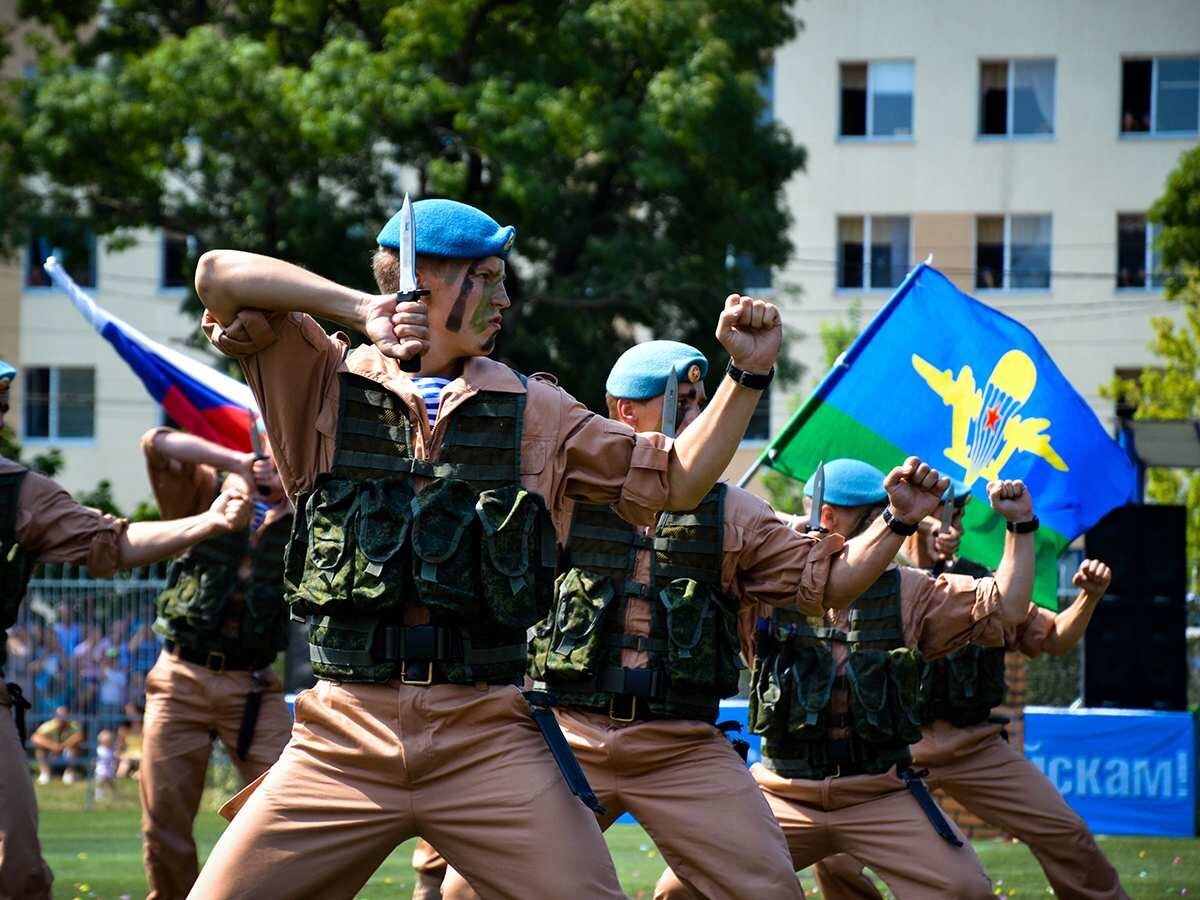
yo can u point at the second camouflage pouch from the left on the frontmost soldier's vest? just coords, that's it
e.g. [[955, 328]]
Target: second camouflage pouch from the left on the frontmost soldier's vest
[[381, 531]]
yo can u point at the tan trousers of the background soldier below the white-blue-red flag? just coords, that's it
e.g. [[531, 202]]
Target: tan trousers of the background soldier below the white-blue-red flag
[[187, 705]]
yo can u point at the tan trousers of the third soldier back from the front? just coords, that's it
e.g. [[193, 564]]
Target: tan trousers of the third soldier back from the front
[[877, 819]]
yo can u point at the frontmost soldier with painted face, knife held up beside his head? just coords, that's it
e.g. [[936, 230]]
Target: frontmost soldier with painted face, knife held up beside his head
[[424, 550]]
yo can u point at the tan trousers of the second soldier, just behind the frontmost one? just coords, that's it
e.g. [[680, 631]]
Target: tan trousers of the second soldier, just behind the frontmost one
[[691, 791]]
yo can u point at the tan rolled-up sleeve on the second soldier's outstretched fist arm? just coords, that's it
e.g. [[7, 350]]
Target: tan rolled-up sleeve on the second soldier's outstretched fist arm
[[770, 563]]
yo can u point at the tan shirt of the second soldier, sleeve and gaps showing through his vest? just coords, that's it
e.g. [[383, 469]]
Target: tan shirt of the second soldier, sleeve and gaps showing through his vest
[[764, 562]]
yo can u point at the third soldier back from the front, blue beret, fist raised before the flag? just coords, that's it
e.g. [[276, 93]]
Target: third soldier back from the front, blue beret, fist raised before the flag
[[836, 700]]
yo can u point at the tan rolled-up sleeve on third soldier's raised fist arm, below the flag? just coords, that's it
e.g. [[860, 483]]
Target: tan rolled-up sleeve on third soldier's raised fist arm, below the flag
[[947, 613]]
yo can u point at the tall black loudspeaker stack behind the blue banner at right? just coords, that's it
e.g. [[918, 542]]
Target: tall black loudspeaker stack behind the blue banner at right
[[1136, 649]]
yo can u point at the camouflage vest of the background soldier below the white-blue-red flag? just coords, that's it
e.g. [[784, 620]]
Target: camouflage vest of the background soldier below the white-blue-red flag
[[195, 608]]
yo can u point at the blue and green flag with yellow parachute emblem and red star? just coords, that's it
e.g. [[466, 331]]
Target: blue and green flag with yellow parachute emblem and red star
[[970, 391]]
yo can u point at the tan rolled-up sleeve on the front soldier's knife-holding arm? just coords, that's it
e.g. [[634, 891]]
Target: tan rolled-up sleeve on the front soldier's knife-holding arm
[[292, 365]]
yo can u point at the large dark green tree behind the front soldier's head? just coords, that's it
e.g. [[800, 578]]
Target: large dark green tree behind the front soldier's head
[[628, 140]]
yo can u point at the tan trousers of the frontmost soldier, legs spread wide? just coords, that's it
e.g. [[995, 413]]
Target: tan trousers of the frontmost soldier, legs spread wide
[[374, 765]]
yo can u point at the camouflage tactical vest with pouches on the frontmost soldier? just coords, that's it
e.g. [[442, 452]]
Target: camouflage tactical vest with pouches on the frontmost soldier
[[475, 548]]
